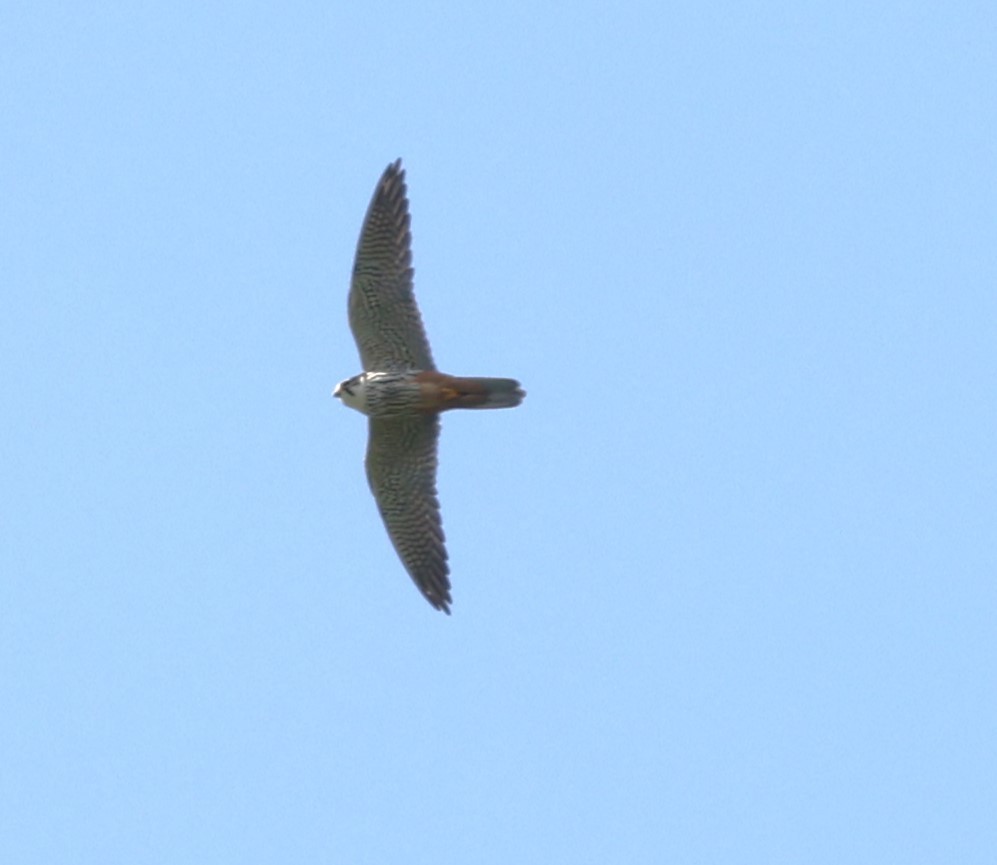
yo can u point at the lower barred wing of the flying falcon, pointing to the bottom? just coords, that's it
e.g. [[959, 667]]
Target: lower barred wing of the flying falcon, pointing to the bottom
[[401, 470]]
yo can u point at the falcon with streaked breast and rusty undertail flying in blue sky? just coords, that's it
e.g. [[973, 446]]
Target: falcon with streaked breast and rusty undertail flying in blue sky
[[401, 391]]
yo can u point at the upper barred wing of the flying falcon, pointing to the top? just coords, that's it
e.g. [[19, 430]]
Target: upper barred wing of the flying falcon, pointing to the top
[[384, 316]]
